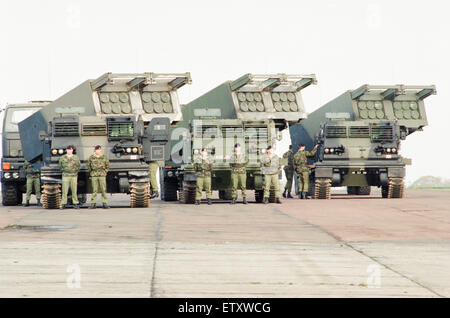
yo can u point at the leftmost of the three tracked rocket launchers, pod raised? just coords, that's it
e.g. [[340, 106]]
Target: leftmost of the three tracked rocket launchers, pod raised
[[129, 115]]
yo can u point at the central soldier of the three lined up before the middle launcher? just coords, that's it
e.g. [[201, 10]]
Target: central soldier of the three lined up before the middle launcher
[[238, 174]]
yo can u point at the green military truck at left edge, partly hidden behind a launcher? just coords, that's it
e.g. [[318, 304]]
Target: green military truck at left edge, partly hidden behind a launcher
[[13, 176]]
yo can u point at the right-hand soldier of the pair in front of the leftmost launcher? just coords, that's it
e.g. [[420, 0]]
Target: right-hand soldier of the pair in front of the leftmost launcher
[[98, 166]]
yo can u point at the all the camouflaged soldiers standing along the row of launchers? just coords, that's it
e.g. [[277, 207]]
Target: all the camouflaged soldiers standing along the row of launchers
[[98, 166]]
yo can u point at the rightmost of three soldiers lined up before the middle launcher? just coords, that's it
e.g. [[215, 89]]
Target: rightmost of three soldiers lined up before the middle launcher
[[270, 166]]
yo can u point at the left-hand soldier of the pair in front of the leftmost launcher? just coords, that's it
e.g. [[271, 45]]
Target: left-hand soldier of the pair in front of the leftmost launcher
[[69, 165]]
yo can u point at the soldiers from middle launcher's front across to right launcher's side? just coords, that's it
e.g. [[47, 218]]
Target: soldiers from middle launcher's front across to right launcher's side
[[270, 167]]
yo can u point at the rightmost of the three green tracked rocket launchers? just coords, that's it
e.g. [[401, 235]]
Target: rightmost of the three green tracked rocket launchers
[[359, 134]]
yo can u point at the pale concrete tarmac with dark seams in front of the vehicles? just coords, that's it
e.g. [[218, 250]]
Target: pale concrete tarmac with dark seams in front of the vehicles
[[349, 246]]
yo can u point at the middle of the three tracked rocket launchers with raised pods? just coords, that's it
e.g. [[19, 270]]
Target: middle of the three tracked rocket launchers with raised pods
[[252, 111]]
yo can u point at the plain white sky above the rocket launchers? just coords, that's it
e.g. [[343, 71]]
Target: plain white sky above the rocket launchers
[[49, 47]]
